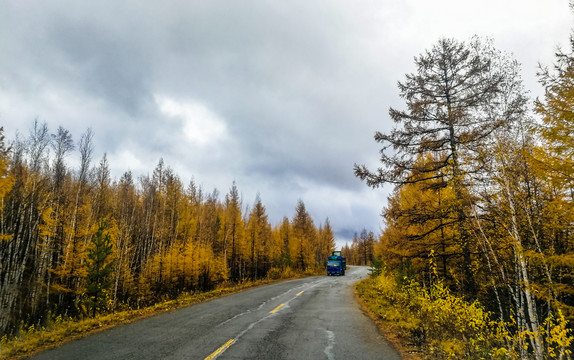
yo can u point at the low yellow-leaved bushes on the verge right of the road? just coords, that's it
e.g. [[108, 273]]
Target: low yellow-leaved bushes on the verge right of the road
[[452, 328]]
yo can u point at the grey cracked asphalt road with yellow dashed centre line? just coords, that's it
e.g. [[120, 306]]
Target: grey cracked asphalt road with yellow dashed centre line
[[311, 318]]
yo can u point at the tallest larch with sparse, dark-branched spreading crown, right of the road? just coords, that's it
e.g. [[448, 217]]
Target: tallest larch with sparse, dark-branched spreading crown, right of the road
[[452, 108]]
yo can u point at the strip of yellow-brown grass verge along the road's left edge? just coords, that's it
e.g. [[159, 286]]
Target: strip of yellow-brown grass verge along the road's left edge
[[32, 339]]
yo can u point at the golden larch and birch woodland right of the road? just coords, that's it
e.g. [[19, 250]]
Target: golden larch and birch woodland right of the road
[[482, 207]]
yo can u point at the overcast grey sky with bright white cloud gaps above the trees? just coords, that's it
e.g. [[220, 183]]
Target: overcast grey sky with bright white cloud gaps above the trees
[[282, 97]]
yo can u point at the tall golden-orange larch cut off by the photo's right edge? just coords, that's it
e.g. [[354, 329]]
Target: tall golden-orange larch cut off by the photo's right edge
[[550, 212]]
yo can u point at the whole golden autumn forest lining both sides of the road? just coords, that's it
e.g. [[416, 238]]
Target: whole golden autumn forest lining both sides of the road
[[481, 217]]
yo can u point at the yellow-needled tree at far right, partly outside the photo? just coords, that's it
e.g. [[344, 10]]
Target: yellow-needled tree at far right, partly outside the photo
[[553, 161]]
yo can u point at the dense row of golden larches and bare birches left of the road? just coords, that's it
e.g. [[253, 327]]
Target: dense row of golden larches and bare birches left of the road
[[75, 243]]
